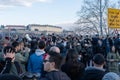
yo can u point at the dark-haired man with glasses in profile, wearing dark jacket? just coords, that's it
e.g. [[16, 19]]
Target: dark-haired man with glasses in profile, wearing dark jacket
[[52, 65]]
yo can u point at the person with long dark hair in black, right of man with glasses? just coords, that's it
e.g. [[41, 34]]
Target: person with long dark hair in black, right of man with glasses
[[72, 66]]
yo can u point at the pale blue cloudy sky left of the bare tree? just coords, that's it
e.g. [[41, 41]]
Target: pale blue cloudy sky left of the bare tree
[[23, 12]]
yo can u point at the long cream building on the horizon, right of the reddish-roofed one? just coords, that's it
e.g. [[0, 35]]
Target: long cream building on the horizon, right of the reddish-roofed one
[[44, 28]]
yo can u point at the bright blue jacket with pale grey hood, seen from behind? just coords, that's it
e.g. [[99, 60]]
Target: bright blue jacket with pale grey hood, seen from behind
[[35, 63]]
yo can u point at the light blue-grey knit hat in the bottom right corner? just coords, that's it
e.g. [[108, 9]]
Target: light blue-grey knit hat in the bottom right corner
[[111, 76]]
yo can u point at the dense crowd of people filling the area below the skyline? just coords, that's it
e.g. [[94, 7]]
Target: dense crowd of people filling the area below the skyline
[[57, 57]]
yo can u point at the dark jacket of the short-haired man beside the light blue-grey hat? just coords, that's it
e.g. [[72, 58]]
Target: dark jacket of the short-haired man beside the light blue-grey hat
[[93, 73]]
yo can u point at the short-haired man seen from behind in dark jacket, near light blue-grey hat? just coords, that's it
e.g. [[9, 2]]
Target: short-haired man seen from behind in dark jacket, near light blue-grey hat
[[96, 72]]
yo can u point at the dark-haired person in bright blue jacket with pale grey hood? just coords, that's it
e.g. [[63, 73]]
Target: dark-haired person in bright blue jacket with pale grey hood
[[35, 63]]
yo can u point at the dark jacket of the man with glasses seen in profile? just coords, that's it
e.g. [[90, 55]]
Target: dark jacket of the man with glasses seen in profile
[[56, 75]]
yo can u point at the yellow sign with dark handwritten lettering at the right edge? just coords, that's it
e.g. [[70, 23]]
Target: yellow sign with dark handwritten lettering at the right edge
[[113, 18]]
